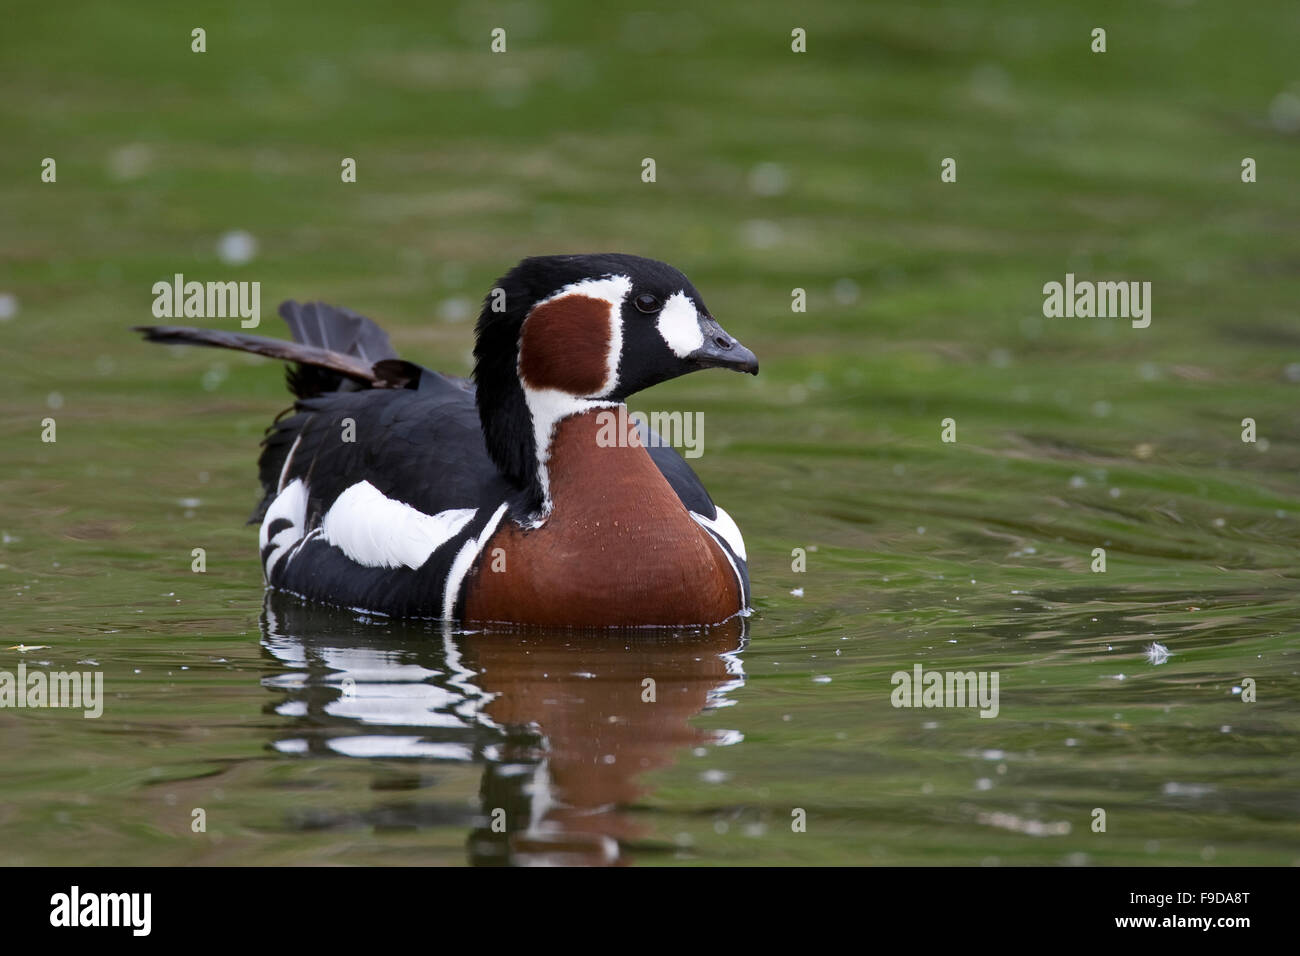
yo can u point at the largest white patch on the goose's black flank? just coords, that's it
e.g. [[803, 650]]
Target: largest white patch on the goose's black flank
[[378, 531]]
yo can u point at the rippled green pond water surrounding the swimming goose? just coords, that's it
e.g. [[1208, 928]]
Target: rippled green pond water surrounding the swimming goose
[[309, 737]]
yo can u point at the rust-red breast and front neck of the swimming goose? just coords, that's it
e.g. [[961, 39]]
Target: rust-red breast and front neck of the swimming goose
[[618, 550]]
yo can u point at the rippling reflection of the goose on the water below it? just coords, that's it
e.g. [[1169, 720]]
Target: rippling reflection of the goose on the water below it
[[565, 724]]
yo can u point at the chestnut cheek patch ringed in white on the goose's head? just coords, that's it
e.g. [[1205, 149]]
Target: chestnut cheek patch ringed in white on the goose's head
[[566, 345]]
